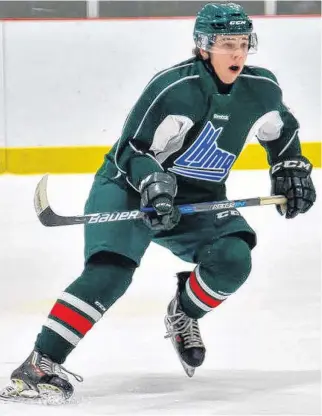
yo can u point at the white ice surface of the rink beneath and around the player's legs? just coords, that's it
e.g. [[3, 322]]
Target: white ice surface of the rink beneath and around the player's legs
[[263, 343]]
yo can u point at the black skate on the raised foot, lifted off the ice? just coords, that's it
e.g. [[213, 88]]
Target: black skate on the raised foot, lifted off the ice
[[184, 332]]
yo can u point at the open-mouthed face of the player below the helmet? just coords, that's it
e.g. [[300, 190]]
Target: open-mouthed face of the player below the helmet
[[228, 56]]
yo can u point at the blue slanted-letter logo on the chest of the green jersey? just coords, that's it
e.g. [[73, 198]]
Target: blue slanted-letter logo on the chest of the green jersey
[[204, 159]]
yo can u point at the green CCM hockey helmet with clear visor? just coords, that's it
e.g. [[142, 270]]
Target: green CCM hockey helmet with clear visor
[[222, 19]]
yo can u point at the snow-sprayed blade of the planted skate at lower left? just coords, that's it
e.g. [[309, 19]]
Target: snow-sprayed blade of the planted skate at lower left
[[19, 392]]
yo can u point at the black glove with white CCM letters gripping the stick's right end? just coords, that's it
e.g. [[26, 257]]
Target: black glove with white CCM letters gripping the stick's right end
[[292, 179]]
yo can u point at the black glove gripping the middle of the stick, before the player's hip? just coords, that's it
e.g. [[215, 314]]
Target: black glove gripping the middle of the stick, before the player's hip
[[158, 191]]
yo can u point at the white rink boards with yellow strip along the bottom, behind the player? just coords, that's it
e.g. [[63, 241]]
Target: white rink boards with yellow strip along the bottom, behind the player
[[63, 103]]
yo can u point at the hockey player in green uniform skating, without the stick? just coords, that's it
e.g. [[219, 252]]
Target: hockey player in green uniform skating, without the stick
[[178, 145]]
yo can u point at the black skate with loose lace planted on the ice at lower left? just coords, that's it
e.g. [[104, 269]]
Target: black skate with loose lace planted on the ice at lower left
[[39, 380]]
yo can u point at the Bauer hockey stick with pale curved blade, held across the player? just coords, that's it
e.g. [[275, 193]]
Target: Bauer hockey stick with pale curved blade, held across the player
[[50, 219]]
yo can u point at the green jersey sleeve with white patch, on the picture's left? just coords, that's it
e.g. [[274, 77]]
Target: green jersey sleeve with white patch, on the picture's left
[[155, 128]]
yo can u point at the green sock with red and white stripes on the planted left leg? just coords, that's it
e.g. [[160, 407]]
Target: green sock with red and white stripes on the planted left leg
[[105, 279]]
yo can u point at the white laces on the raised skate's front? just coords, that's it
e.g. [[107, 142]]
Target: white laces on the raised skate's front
[[187, 328]]
